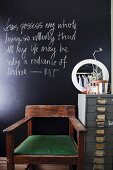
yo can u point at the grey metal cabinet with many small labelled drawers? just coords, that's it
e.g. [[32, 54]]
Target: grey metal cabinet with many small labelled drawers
[[96, 113]]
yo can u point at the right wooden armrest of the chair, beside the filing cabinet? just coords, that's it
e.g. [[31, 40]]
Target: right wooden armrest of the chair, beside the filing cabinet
[[77, 125]]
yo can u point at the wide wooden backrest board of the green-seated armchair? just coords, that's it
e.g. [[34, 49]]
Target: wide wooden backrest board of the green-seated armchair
[[50, 110]]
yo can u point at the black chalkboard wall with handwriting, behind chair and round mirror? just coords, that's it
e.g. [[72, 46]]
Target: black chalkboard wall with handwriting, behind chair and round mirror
[[40, 43]]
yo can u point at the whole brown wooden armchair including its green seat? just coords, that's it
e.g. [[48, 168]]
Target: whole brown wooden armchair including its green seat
[[46, 149]]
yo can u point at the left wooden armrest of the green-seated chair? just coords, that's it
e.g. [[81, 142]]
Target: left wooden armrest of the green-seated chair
[[17, 124]]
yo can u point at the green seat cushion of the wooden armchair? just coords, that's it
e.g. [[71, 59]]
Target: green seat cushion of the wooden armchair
[[47, 145]]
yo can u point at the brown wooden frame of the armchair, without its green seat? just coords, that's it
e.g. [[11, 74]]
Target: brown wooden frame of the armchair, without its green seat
[[34, 111]]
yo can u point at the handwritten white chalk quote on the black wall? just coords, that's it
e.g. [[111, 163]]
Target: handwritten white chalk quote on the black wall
[[38, 47]]
